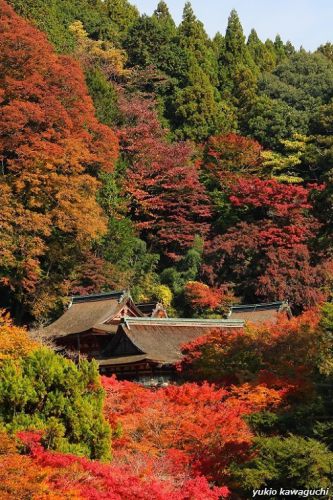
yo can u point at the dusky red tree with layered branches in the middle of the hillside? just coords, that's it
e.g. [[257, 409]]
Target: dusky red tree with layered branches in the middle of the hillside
[[168, 203]]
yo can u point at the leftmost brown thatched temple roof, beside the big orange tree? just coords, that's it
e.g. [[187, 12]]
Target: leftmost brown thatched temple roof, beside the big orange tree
[[90, 312]]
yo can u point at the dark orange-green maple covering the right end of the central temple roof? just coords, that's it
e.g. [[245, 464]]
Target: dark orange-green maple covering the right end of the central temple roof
[[282, 357]]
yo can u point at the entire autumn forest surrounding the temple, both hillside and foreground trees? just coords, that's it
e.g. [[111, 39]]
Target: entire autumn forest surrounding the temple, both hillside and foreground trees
[[138, 154]]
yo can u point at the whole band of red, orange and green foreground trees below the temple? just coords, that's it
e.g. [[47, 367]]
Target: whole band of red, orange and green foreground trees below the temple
[[256, 412]]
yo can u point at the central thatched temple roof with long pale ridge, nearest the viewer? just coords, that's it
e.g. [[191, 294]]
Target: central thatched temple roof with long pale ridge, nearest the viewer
[[158, 340]]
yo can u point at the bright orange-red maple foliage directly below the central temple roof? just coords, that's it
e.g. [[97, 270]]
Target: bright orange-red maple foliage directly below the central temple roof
[[184, 431]]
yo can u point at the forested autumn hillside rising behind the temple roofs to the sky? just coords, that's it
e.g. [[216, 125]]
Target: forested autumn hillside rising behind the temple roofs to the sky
[[157, 159]]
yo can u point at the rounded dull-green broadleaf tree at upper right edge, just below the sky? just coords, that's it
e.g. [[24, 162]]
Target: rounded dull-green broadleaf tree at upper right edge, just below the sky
[[289, 97]]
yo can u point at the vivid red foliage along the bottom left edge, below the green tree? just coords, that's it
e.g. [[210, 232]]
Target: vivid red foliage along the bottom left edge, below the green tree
[[55, 475]]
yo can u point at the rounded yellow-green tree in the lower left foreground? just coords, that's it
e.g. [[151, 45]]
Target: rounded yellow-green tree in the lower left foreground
[[47, 392]]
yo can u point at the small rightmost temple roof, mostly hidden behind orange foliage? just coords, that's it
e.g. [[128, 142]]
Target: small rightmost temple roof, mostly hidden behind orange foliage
[[260, 313]]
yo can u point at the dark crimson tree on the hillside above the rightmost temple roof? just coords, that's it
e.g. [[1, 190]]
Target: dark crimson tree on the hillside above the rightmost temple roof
[[270, 251]]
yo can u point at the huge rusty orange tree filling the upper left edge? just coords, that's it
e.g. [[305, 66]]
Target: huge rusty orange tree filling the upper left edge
[[52, 148]]
